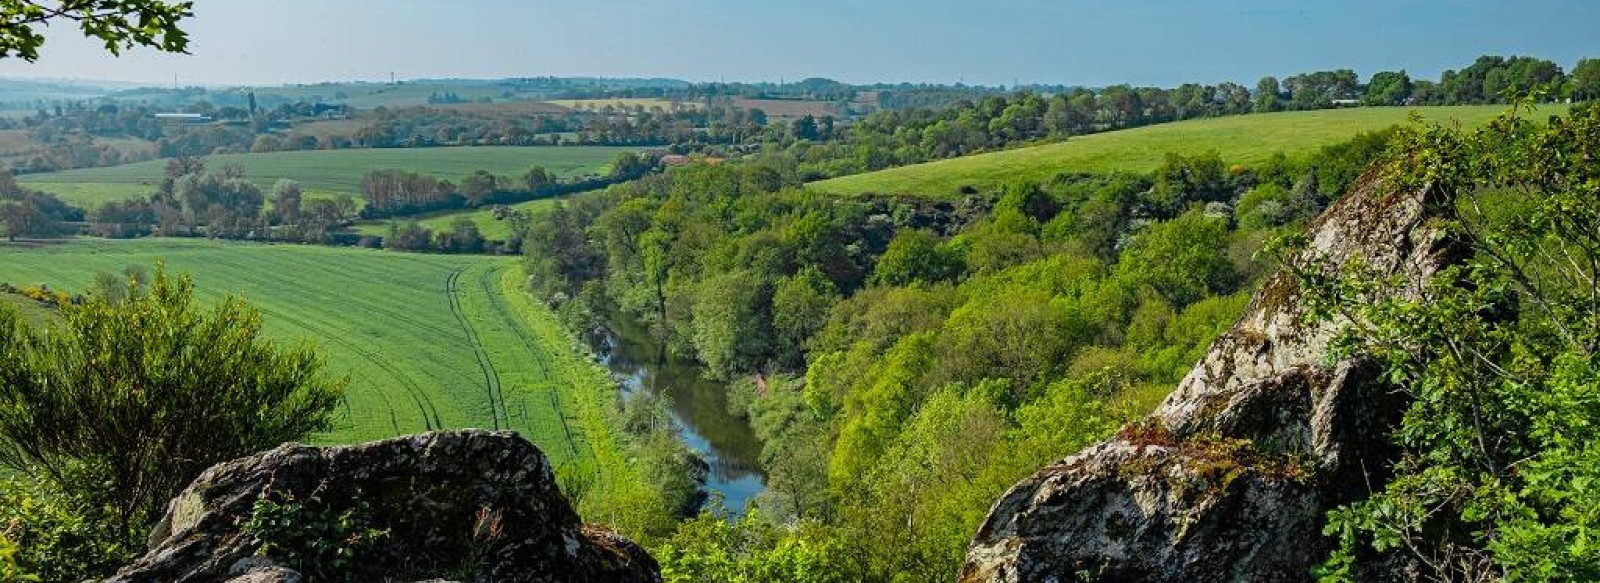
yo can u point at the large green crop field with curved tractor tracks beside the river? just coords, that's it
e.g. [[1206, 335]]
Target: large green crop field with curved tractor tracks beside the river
[[428, 342]]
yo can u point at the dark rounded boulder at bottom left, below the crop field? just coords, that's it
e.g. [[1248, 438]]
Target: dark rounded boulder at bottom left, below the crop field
[[460, 505]]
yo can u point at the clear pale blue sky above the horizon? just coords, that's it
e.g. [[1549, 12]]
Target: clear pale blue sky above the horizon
[[1074, 42]]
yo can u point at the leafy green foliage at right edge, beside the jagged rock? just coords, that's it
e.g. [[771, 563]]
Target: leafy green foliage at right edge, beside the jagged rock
[[1498, 355]]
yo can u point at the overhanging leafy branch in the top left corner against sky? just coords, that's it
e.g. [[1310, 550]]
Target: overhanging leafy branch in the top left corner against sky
[[119, 25]]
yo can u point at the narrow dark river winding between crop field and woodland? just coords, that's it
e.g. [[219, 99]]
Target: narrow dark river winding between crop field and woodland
[[698, 406]]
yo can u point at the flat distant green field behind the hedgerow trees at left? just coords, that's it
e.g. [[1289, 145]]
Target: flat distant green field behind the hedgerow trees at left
[[329, 171]]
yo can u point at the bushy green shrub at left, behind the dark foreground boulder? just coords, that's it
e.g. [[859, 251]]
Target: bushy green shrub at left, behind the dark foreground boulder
[[127, 403]]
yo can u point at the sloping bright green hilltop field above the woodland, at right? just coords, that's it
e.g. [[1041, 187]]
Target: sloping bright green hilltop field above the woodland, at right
[[1242, 140]]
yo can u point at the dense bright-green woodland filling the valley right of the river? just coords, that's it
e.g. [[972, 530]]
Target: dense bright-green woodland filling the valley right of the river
[[906, 361]]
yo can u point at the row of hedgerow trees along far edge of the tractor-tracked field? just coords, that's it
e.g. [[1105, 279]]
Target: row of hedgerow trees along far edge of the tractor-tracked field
[[194, 201]]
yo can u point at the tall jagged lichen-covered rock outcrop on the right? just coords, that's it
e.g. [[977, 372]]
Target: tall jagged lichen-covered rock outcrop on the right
[[1230, 480]]
